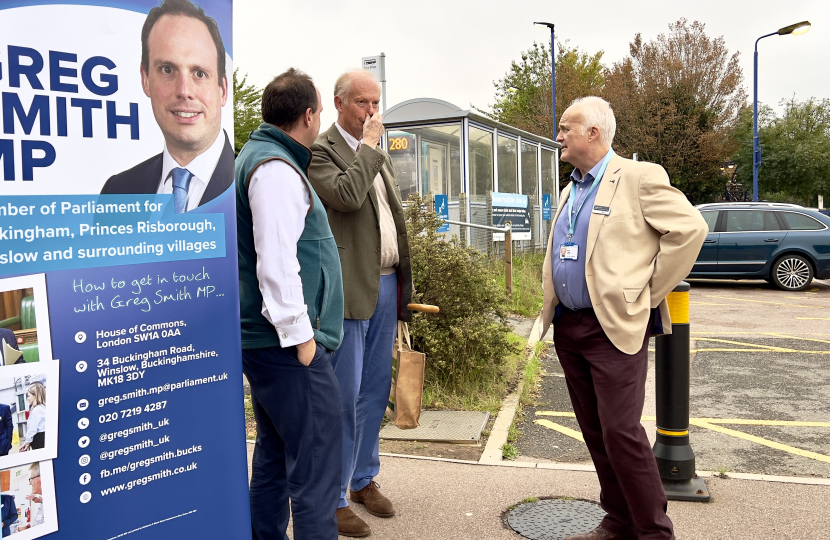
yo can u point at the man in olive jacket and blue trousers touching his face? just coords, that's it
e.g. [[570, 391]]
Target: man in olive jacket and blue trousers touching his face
[[355, 180]]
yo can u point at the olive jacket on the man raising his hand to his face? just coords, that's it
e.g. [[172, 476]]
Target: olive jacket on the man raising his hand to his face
[[344, 181]]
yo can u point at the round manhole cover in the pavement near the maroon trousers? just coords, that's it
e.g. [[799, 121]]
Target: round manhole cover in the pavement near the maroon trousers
[[554, 519]]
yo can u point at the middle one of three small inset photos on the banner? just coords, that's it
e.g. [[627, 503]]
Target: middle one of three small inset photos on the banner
[[28, 413]]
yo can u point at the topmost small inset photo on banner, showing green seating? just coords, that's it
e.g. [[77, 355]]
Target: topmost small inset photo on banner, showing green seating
[[24, 320]]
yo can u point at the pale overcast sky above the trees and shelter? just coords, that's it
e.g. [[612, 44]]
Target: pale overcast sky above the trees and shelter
[[455, 49]]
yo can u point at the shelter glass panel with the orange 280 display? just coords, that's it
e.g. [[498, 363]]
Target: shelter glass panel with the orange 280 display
[[427, 159]]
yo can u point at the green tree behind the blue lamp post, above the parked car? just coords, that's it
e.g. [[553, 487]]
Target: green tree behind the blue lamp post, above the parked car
[[795, 147]]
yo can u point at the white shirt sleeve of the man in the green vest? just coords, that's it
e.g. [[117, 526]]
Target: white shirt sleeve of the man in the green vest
[[280, 201]]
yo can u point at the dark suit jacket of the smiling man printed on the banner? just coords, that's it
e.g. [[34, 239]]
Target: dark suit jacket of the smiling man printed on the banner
[[144, 178]]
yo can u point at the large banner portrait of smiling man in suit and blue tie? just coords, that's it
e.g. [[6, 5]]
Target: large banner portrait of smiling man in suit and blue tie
[[183, 73]]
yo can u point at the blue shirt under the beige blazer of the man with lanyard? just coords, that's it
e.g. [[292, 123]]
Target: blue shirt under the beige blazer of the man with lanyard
[[569, 276]]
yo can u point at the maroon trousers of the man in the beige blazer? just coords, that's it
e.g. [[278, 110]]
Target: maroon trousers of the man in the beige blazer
[[607, 389]]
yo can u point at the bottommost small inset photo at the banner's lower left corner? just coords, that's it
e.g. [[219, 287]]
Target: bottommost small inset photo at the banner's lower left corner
[[27, 496]]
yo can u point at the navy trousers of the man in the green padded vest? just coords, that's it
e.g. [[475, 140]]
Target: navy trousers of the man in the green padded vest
[[298, 444]]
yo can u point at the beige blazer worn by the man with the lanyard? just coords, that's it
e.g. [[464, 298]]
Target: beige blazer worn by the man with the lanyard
[[636, 255]]
